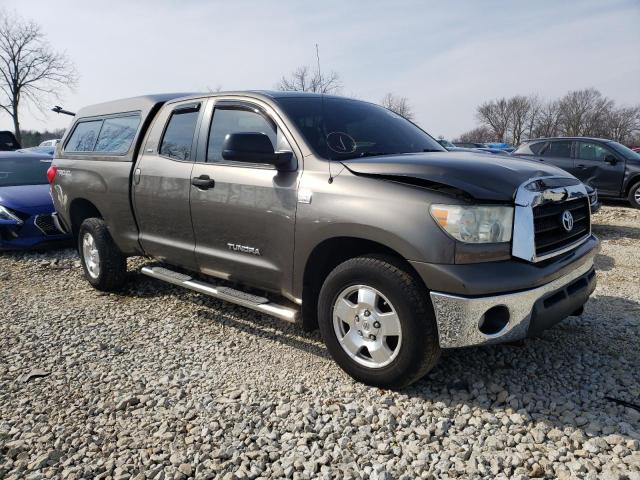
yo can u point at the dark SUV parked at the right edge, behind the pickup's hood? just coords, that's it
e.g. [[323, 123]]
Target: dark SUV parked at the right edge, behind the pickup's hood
[[608, 166]]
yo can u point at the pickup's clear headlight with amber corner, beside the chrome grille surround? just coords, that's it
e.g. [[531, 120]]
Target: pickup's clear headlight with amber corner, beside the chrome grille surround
[[471, 224]]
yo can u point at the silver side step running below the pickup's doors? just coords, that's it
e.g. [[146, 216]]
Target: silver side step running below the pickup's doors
[[232, 295]]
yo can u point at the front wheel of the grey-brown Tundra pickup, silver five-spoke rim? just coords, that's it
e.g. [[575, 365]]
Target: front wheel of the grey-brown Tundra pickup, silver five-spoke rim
[[377, 322]]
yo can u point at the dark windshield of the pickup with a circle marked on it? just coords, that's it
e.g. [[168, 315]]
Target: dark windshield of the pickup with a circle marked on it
[[340, 128]]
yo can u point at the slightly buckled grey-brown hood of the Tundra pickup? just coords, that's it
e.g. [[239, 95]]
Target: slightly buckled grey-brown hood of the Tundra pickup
[[482, 176]]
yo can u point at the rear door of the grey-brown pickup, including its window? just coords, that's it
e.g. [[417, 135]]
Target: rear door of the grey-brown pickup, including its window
[[162, 185]]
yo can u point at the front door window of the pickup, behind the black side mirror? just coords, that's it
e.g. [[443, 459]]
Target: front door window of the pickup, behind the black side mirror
[[241, 120]]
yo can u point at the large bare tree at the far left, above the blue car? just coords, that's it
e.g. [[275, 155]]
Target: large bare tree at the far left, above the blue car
[[29, 69]]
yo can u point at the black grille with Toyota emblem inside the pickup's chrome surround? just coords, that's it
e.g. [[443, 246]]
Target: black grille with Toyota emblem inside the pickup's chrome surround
[[550, 234]]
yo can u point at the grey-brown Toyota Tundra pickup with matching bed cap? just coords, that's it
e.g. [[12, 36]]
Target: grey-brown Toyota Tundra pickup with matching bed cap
[[331, 212]]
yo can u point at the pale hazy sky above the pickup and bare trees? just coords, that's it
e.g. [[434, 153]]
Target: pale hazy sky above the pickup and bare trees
[[446, 57]]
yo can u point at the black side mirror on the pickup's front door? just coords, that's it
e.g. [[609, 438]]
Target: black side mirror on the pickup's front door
[[252, 147]]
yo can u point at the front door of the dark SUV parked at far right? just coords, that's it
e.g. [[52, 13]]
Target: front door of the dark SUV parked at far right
[[600, 167]]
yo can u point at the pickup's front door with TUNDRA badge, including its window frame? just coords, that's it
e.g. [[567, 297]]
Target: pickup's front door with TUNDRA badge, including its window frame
[[244, 220]]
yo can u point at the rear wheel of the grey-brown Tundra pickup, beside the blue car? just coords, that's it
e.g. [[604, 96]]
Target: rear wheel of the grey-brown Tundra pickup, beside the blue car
[[104, 264]]
